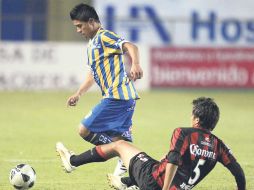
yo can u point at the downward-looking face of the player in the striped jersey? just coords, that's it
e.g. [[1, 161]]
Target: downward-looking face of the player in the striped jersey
[[84, 28]]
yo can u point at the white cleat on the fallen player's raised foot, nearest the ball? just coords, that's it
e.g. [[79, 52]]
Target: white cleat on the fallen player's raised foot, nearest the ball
[[65, 155]]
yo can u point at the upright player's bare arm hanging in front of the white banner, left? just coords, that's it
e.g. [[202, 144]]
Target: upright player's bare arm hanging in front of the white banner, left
[[72, 100]]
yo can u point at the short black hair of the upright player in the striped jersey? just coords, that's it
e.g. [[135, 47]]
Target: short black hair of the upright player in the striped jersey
[[84, 12]]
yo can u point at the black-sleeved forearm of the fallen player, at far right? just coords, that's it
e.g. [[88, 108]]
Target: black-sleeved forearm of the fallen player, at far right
[[238, 173]]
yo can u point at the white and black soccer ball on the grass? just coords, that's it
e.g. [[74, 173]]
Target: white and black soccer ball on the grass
[[22, 177]]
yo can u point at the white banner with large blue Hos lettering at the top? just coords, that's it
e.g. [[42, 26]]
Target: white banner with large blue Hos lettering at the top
[[180, 22]]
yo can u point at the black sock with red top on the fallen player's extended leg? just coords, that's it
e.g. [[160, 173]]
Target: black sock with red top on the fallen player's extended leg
[[86, 157]]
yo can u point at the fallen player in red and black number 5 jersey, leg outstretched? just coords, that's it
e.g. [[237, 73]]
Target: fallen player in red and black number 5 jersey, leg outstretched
[[192, 155]]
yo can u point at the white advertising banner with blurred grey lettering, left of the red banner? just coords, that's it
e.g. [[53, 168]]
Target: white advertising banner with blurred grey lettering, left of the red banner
[[47, 66]]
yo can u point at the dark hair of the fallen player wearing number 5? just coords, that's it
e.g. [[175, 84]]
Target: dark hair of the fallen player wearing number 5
[[207, 111]]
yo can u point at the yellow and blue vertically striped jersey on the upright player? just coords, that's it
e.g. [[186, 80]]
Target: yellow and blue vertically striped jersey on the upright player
[[106, 60]]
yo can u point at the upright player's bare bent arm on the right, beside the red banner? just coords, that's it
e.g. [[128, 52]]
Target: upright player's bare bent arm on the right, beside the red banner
[[136, 70]]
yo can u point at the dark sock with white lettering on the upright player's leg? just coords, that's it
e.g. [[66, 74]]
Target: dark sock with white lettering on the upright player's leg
[[98, 138]]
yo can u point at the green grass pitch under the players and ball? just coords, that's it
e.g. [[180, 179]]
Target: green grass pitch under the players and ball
[[31, 124]]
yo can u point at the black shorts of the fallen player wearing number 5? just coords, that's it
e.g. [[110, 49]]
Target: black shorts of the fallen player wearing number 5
[[140, 171]]
